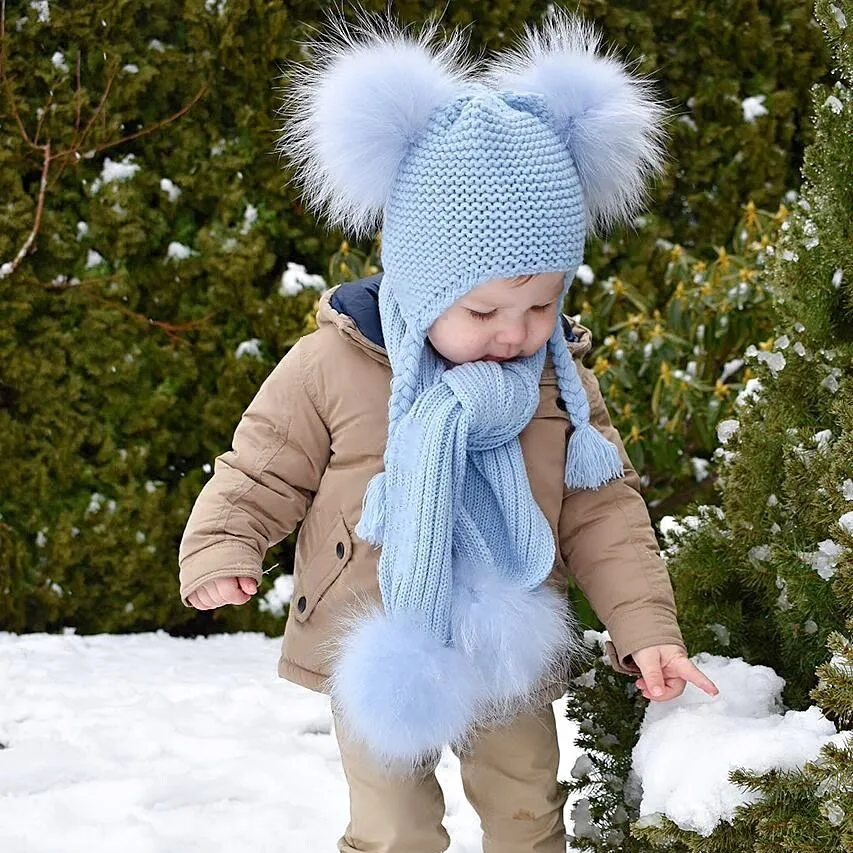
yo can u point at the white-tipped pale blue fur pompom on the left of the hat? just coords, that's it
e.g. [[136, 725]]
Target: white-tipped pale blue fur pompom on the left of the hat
[[351, 111]]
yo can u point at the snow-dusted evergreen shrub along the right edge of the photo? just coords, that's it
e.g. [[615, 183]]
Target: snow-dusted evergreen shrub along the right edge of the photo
[[768, 575]]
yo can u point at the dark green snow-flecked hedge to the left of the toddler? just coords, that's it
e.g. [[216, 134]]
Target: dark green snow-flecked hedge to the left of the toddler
[[126, 301]]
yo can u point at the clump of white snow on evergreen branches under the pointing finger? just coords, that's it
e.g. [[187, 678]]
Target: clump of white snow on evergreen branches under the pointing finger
[[687, 747]]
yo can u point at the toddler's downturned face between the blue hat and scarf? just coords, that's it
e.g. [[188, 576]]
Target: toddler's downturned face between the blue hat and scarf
[[500, 319]]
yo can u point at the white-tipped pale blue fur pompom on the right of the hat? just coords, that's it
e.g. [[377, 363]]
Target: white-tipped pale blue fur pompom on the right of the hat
[[610, 119]]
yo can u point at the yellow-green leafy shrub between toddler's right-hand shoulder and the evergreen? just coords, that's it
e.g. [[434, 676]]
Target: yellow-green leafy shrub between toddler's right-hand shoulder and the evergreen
[[668, 372]]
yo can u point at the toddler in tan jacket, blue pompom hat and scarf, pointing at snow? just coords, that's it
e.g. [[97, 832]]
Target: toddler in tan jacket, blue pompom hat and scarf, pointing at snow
[[449, 457]]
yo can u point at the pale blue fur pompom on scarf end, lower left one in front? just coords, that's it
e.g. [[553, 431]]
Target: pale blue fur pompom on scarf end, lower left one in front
[[400, 692]]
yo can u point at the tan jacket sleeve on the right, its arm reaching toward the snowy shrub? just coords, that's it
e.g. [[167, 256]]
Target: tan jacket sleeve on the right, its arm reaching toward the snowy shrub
[[610, 549]]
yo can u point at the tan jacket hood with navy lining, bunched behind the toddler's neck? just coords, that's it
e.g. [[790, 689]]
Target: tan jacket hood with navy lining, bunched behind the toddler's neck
[[353, 308]]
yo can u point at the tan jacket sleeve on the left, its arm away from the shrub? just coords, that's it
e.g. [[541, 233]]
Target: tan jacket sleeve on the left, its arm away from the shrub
[[260, 489]]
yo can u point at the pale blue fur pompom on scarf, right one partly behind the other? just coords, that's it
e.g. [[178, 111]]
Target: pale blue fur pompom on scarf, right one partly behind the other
[[518, 639]]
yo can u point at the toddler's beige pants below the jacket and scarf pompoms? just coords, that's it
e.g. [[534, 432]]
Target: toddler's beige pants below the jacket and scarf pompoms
[[509, 776]]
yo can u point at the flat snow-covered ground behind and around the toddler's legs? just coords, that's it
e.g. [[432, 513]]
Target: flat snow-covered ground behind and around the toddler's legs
[[150, 744]]
